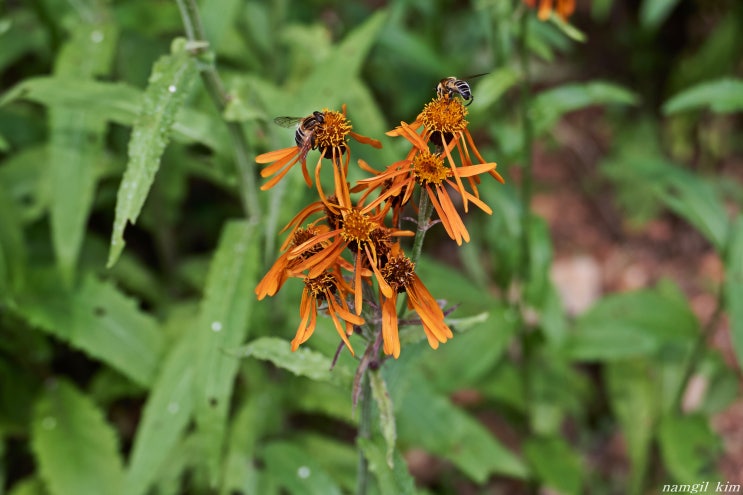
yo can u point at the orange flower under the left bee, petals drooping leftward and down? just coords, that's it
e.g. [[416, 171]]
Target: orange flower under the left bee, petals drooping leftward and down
[[326, 131]]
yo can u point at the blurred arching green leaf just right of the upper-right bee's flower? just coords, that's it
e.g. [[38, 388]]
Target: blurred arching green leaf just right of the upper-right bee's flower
[[548, 106]]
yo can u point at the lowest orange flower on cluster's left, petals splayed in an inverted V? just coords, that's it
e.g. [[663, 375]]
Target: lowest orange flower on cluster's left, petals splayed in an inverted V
[[330, 288]]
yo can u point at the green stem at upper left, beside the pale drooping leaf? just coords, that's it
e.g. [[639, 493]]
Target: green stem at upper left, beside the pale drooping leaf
[[214, 87]]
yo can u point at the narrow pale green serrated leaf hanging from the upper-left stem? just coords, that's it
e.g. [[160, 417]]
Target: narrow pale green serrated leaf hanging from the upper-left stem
[[165, 94]]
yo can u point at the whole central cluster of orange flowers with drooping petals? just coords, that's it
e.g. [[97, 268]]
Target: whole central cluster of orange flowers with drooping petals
[[343, 248]]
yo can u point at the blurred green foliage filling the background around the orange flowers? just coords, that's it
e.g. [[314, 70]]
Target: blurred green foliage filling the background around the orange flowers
[[150, 368]]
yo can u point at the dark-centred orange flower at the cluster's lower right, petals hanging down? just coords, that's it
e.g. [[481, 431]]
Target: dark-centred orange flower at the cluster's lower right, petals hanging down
[[399, 272]]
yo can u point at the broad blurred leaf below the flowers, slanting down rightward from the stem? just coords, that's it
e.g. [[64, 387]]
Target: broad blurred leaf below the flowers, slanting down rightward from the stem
[[428, 420]]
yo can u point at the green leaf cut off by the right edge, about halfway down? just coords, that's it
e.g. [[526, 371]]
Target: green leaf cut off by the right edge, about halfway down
[[734, 286]]
